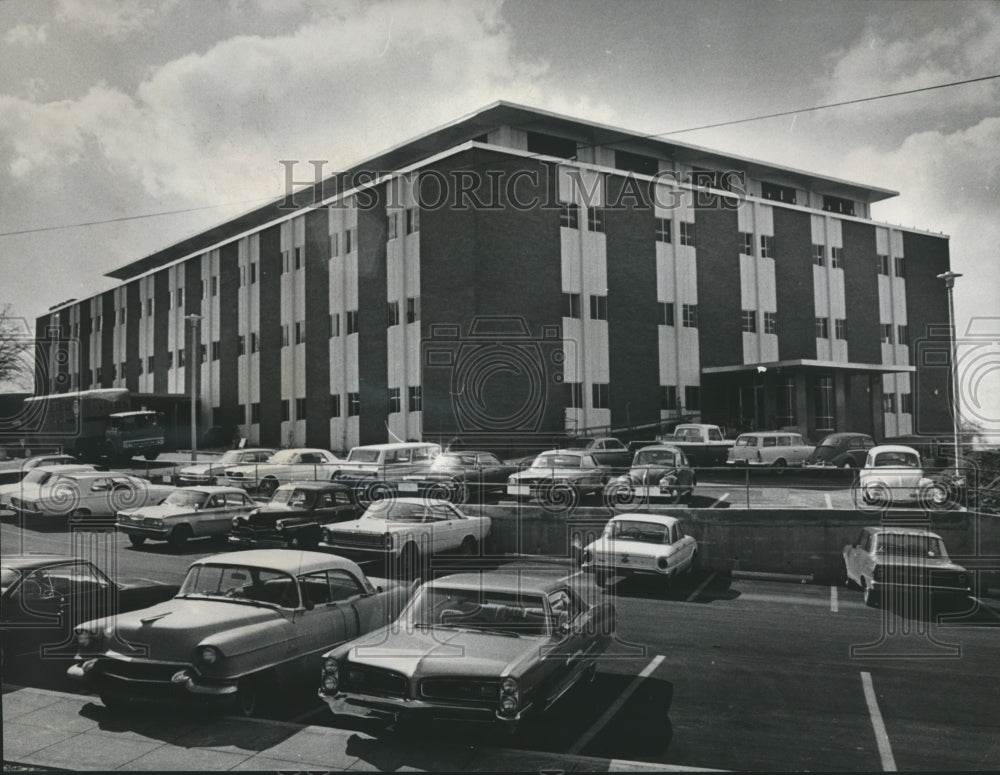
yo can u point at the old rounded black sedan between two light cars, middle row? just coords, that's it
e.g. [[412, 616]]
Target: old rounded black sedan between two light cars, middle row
[[294, 516]]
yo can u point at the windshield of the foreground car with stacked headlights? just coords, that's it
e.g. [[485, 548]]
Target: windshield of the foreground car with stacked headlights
[[479, 609]]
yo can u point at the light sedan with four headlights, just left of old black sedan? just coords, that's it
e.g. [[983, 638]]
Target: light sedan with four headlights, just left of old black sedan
[[190, 512]]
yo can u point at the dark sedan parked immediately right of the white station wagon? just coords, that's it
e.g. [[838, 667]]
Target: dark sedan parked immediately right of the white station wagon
[[458, 476]]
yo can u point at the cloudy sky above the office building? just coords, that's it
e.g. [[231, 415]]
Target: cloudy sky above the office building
[[180, 110]]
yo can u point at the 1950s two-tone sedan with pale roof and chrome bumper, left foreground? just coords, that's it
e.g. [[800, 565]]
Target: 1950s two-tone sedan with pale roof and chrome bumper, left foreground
[[244, 628]]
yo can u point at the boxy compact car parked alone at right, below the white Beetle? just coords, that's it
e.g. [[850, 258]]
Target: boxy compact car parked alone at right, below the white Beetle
[[895, 561]]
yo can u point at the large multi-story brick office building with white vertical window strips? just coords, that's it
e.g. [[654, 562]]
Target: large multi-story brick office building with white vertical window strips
[[518, 274]]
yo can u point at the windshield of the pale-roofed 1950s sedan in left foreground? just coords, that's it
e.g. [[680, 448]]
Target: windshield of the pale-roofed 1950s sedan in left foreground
[[241, 583]]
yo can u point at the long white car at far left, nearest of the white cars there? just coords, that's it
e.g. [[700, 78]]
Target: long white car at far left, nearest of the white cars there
[[87, 494]]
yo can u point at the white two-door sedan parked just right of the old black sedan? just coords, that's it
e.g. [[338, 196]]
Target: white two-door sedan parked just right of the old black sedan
[[402, 531]]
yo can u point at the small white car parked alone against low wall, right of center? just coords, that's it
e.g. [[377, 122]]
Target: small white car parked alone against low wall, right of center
[[640, 544]]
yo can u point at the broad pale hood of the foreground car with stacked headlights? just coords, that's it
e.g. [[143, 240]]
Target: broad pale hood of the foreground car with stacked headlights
[[444, 651]]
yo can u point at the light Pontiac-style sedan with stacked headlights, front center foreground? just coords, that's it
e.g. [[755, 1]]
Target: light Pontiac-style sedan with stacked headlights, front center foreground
[[492, 647]]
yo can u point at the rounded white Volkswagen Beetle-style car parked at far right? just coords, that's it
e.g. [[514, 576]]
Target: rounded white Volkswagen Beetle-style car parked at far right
[[893, 474]]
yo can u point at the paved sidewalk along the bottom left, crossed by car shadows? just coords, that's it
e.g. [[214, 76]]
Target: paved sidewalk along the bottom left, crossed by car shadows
[[43, 728]]
